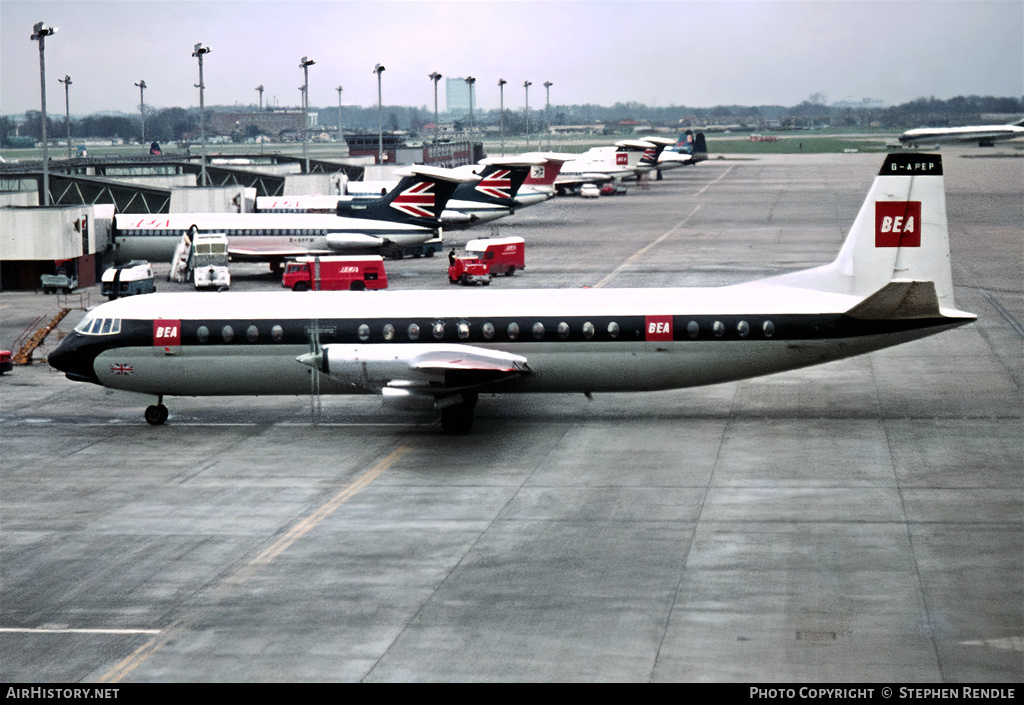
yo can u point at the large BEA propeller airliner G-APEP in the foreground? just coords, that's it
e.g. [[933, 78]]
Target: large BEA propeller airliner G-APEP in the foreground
[[890, 284]]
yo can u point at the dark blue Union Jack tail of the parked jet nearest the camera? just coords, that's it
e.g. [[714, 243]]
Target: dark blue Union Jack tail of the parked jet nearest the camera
[[419, 198]]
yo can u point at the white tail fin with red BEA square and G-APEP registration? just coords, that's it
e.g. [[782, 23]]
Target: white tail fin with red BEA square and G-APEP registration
[[901, 235]]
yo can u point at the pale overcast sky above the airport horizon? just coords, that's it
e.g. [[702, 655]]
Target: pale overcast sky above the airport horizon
[[658, 53]]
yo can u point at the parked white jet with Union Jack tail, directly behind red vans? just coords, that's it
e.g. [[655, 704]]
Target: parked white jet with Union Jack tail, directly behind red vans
[[405, 220]]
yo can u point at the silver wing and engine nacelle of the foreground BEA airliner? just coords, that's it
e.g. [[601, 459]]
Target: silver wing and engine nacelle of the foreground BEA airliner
[[435, 369]]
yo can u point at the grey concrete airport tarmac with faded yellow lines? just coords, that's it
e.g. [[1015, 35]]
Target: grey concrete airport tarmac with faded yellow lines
[[859, 522]]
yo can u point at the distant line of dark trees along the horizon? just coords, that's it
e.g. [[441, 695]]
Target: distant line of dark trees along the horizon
[[174, 125]]
